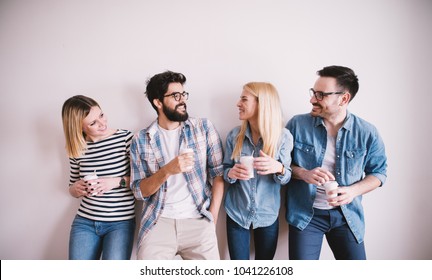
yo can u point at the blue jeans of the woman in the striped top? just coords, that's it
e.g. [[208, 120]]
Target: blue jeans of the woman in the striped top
[[89, 240]]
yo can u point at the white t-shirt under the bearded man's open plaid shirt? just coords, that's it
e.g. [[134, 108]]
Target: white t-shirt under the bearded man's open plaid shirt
[[179, 203]]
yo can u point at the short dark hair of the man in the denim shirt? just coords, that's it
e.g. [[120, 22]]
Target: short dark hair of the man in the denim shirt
[[345, 77]]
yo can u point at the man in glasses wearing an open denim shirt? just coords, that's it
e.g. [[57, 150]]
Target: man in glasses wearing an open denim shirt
[[332, 144]]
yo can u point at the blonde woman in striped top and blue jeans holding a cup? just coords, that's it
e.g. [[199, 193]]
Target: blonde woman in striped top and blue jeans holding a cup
[[105, 222]]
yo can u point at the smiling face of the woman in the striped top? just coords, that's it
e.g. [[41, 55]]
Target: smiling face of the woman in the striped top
[[95, 125]]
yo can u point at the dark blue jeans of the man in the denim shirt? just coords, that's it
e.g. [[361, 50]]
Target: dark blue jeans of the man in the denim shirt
[[306, 244]]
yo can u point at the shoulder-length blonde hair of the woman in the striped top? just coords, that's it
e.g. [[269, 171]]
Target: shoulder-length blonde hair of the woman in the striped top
[[74, 111]]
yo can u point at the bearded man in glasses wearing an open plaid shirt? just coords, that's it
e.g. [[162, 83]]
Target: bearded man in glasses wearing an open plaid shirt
[[180, 204]]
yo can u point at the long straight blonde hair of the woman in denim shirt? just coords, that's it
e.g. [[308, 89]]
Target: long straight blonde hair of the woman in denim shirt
[[270, 119]]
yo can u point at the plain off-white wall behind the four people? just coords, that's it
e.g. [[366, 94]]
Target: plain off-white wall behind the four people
[[106, 49]]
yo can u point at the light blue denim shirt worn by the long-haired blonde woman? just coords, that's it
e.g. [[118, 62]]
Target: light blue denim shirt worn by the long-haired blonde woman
[[255, 201]]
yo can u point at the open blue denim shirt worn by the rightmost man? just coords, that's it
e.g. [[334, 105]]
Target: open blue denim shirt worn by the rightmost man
[[359, 152]]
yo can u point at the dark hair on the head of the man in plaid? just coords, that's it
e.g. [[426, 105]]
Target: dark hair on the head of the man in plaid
[[158, 85]]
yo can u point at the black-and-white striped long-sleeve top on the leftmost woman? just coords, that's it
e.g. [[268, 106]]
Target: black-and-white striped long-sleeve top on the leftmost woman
[[108, 158]]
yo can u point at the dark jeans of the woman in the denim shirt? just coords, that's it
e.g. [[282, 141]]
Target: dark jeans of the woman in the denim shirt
[[265, 241]]
